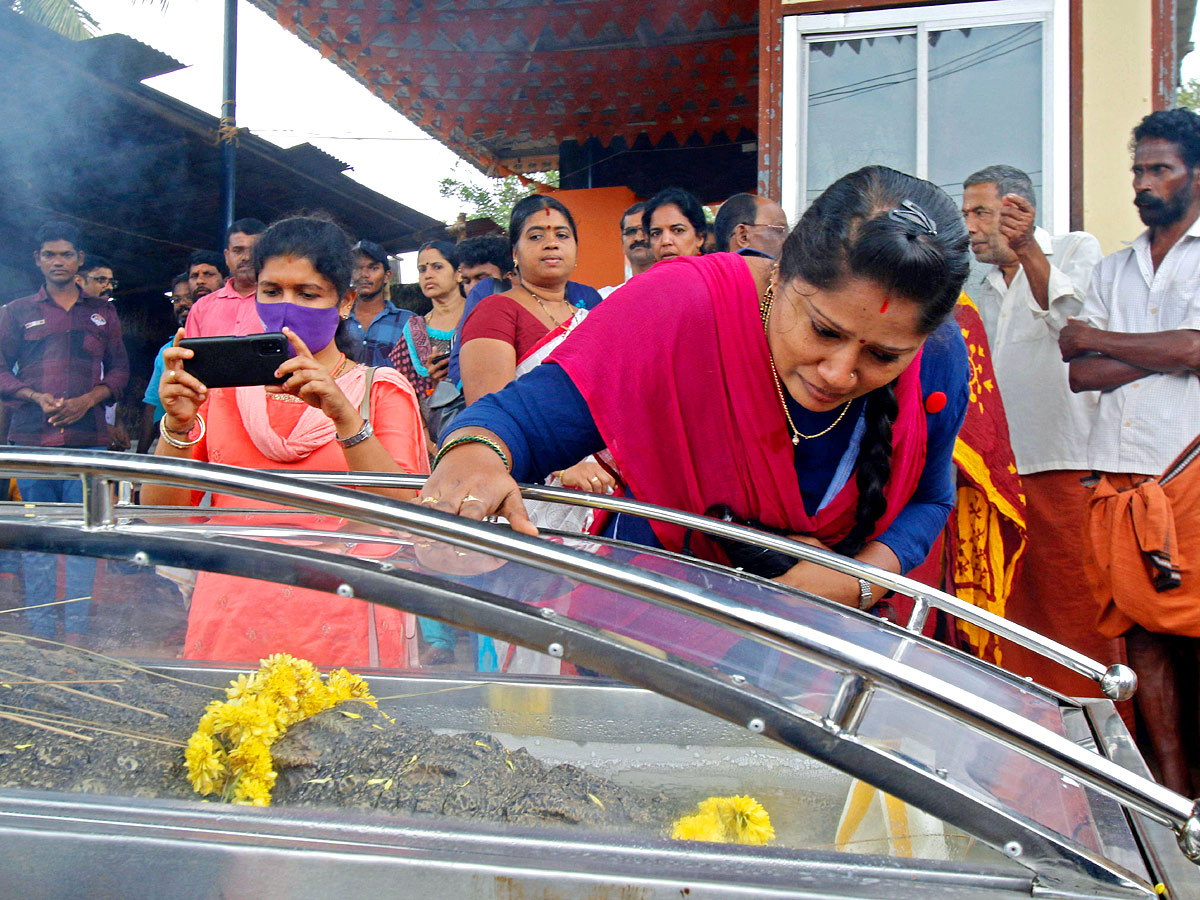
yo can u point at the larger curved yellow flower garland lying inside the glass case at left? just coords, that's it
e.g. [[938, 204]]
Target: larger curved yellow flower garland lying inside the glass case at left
[[231, 752]]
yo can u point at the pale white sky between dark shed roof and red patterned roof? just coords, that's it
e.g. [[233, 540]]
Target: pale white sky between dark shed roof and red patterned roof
[[289, 94]]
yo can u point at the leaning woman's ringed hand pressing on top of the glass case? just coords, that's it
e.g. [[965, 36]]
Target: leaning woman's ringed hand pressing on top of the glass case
[[472, 482]]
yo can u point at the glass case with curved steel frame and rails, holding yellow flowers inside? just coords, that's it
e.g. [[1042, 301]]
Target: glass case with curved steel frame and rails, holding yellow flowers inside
[[604, 721]]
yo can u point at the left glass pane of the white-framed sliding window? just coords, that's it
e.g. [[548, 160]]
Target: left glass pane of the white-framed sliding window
[[862, 107]]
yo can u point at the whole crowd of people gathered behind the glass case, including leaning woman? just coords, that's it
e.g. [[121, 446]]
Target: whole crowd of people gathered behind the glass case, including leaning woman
[[808, 381]]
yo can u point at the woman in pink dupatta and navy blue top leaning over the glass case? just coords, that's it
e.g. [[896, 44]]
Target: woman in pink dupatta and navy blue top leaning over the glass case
[[820, 399]]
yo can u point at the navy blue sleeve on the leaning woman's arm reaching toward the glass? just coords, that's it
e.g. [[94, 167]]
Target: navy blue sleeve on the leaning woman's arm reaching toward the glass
[[544, 421]]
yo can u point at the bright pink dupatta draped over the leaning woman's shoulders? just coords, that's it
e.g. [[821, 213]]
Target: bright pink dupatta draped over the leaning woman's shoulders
[[675, 369]]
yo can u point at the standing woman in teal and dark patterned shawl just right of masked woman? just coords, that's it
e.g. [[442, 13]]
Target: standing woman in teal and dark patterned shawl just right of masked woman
[[423, 353]]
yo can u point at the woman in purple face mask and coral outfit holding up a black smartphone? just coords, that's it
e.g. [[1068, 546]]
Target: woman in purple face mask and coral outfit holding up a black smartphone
[[329, 413]]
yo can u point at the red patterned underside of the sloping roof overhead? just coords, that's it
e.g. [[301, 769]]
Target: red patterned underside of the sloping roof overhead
[[505, 82]]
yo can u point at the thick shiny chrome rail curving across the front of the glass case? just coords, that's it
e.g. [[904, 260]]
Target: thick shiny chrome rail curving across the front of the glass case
[[865, 670]]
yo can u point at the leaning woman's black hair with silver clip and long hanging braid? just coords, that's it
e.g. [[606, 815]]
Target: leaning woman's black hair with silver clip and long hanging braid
[[905, 236]]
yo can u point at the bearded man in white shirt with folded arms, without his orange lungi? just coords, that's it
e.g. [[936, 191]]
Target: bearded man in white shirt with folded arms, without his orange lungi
[[1138, 343]]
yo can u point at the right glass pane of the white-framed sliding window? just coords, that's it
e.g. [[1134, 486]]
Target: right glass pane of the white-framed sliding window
[[985, 103]]
